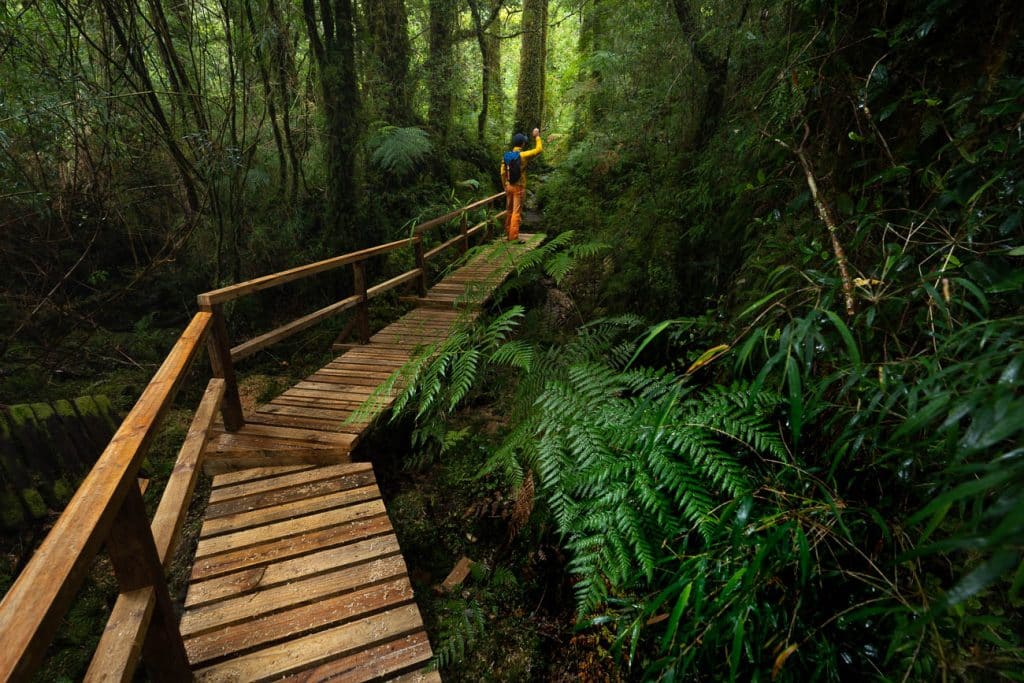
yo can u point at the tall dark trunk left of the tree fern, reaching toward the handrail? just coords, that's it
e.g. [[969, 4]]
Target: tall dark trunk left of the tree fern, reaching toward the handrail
[[333, 42]]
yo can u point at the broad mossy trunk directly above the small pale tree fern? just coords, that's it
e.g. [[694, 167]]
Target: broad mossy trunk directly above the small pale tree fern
[[389, 25]]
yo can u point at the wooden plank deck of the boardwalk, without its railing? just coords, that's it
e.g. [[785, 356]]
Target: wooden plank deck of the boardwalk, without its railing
[[298, 574]]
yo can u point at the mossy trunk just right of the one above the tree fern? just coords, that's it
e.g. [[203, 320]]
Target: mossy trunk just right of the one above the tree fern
[[441, 66]]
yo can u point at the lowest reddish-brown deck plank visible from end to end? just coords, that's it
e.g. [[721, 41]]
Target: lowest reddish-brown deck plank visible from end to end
[[242, 637]]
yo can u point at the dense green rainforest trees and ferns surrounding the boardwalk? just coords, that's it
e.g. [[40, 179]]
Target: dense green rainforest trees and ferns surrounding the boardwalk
[[758, 406]]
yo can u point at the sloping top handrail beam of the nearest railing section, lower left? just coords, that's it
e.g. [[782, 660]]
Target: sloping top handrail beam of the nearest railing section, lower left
[[33, 608]]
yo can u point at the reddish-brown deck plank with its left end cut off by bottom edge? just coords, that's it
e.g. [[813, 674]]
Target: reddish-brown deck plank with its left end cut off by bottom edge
[[374, 663]]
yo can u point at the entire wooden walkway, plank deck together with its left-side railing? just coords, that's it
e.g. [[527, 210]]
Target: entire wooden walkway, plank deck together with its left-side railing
[[297, 572]]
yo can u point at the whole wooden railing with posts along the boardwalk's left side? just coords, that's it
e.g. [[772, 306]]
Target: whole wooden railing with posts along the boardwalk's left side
[[108, 508]]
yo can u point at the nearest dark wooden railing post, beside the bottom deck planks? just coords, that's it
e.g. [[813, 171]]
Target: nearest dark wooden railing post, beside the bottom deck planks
[[134, 554]]
